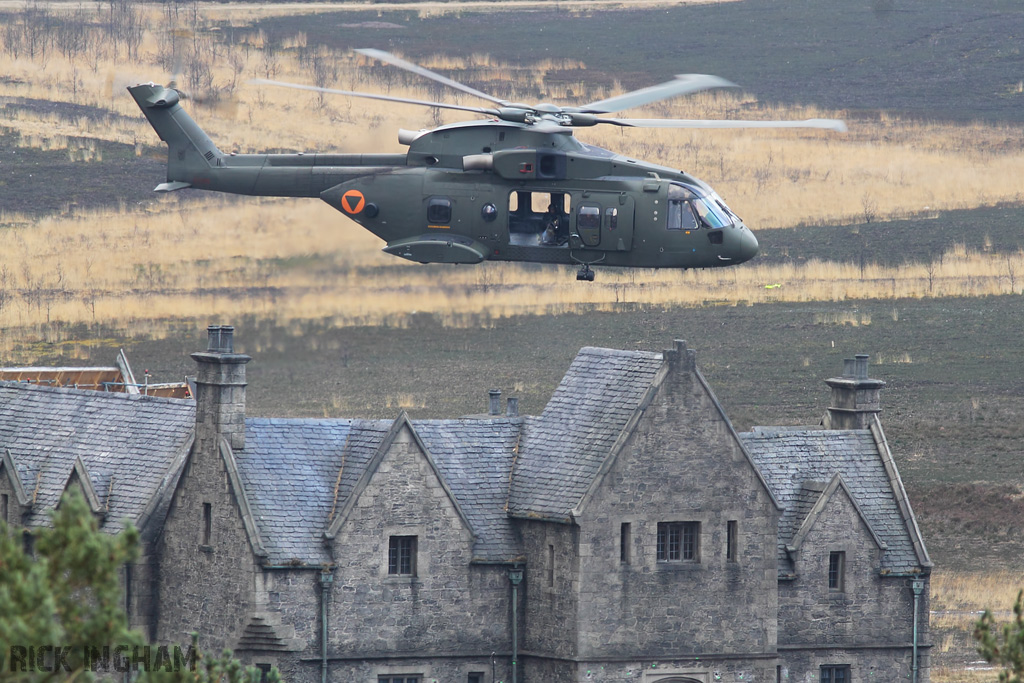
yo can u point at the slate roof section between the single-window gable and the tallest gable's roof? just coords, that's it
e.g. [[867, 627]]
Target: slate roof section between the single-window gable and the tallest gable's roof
[[476, 458]]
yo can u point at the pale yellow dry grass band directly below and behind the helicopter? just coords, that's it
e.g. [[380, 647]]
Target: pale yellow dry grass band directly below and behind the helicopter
[[292, 260]]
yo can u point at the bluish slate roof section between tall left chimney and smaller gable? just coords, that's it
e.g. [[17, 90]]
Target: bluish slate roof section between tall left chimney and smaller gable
[[290, 471]]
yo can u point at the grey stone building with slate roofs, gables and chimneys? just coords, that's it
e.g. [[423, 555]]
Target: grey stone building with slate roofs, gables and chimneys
[[626, 534]]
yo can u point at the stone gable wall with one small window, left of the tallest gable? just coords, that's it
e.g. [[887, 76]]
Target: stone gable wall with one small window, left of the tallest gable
[[451, 609]]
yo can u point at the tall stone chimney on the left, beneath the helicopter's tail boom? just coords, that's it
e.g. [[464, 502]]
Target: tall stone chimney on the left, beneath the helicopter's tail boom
[[221, 390]]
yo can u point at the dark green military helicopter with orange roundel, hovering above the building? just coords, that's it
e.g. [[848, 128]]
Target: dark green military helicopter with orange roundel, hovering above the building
[[517, 187]]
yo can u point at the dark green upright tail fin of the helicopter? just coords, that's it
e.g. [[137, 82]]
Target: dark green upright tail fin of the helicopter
[[191, 153]]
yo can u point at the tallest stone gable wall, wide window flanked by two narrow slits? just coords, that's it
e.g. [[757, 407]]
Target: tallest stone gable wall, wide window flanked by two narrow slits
[[682, 464]]
